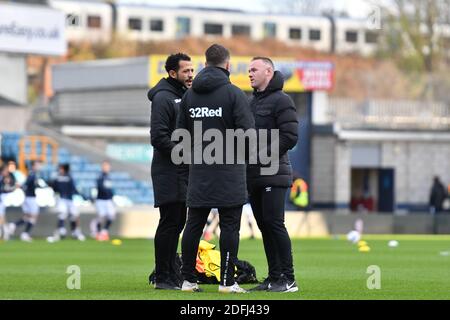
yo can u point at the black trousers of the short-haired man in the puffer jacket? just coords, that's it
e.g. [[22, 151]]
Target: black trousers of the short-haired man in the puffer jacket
[[268, 208]]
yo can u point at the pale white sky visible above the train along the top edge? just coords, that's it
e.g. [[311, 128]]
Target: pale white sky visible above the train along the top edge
[[355, 8]]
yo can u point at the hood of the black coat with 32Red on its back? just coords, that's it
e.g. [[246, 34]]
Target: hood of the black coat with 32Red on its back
[[209, 79]]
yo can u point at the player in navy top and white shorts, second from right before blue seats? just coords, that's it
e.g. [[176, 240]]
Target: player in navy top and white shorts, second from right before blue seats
[[64, 185]]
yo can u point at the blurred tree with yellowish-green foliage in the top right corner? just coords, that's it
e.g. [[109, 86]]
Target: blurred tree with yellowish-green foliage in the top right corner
[[417, 34]]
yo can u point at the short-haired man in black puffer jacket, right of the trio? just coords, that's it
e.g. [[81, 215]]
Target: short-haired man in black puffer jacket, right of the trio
[[273, 109]]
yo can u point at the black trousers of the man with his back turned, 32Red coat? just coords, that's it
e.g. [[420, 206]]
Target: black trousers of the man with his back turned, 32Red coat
[[229, 223]]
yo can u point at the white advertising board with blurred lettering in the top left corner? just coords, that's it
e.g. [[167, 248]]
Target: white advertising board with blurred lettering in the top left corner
[[32, 29]]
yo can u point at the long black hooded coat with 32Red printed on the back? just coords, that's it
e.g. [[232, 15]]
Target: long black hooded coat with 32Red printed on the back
[[217, 104]]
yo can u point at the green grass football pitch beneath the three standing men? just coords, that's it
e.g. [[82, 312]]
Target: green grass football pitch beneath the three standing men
[[333, 268]]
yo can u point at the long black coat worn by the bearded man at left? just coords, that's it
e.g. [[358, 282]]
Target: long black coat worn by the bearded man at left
[[169, 180]]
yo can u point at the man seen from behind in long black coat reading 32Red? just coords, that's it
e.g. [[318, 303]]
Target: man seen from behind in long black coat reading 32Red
[[214, 103]]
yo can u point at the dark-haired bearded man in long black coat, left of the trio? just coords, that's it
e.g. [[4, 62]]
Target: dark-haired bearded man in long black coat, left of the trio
[[169, 180]]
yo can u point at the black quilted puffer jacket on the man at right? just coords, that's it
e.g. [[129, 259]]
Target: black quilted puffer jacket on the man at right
[[273, 109]]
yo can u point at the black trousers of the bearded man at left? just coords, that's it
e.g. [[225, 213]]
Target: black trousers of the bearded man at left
[[171, 223]]
